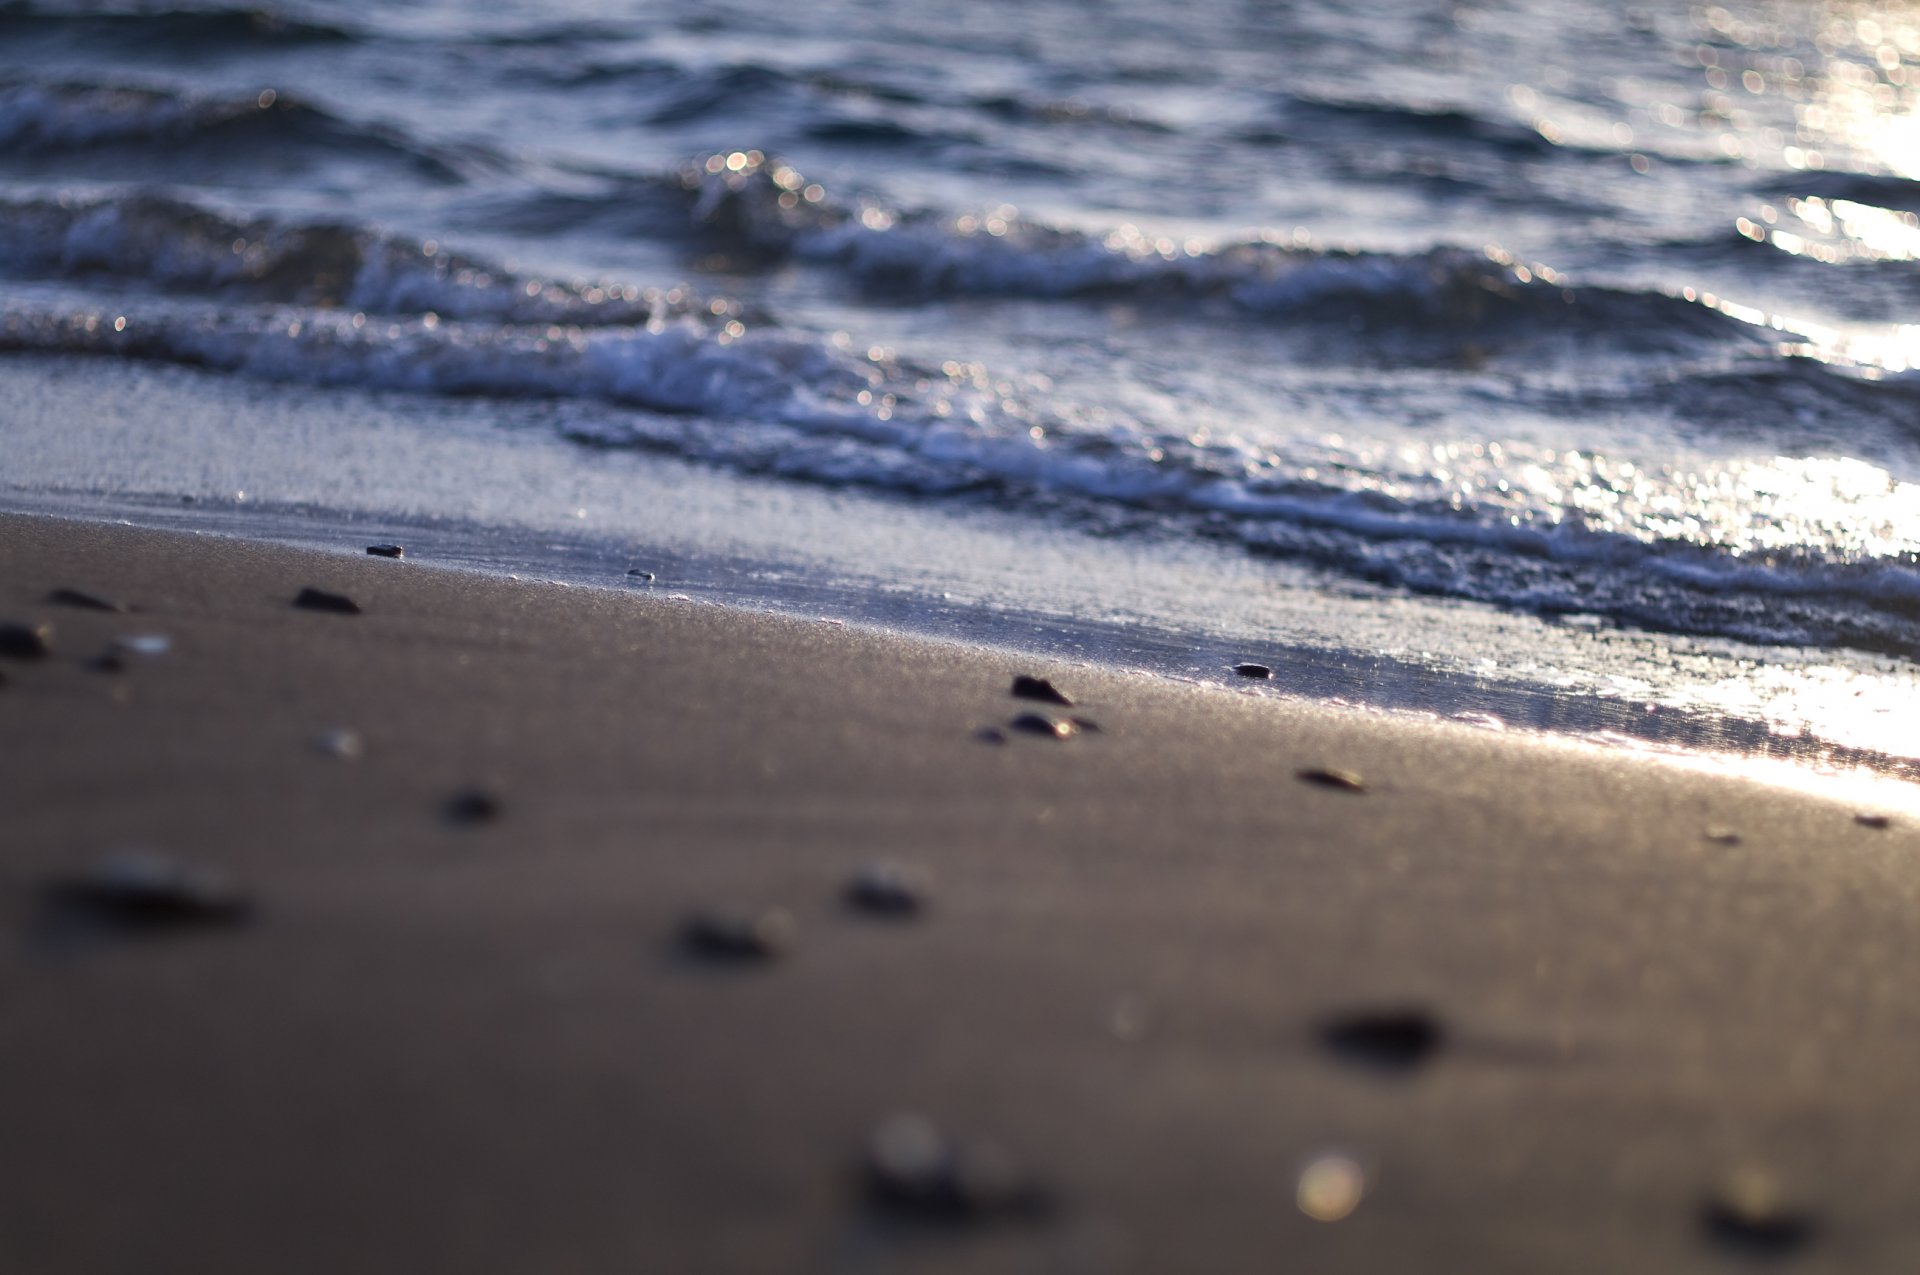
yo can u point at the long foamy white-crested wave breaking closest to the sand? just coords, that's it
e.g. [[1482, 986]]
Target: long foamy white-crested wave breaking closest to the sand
[[1539, 531]]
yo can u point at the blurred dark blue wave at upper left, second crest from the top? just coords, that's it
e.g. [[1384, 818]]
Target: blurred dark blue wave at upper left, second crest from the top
[[74, 118]]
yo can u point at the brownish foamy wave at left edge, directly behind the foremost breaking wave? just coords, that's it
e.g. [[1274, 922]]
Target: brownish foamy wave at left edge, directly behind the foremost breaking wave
[[176, 247]]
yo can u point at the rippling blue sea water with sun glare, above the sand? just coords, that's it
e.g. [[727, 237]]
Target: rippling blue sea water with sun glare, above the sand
[[1541, 364]]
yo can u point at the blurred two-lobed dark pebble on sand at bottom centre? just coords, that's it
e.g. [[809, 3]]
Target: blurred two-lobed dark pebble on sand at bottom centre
[[915, 1172]]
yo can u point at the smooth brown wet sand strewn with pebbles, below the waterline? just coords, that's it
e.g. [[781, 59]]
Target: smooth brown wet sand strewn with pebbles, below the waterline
[[1547, 1009]]
